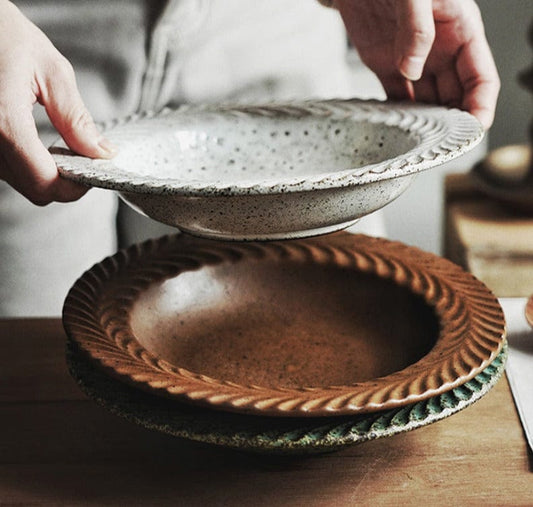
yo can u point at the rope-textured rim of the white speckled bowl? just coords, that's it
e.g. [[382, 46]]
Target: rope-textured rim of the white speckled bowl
[[443, 134]]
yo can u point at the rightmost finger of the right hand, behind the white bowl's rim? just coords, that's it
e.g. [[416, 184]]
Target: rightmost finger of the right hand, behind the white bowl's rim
[[479, 78]]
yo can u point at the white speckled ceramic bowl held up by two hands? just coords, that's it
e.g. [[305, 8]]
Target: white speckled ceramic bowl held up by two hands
[[272, 171]]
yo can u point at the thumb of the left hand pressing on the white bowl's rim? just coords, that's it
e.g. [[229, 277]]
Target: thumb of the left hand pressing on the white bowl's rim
[[59, 94]]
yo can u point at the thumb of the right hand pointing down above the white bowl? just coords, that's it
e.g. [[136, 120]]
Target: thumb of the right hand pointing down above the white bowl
[[414, 36]]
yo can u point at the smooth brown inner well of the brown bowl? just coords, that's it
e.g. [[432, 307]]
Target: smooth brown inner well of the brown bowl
[[277, 323]]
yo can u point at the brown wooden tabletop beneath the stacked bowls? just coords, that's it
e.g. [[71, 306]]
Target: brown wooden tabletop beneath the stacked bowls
[[59, 448]]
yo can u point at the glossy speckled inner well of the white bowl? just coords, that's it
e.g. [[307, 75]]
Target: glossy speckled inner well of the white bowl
[[224, 150]]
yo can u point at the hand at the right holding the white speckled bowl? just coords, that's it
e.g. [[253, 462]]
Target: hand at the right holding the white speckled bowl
[[424, 50]]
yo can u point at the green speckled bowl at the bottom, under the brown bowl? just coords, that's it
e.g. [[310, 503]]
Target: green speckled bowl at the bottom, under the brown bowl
[[268, 434]]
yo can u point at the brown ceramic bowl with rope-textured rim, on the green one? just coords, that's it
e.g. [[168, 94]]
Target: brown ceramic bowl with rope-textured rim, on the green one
[[333, 325]]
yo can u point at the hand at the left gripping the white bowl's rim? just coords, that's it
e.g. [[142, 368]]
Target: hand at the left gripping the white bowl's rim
[[32, 70]]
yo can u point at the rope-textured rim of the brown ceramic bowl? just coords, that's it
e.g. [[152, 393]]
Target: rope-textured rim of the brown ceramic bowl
[[472, 328]]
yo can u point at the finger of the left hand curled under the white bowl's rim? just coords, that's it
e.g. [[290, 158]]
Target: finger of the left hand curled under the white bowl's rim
[[28, 166]]
